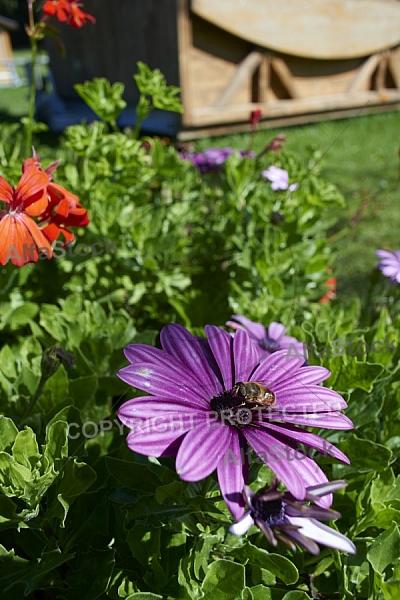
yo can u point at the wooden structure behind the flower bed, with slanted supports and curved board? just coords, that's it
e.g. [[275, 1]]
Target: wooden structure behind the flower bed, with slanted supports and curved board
[[296, 60]]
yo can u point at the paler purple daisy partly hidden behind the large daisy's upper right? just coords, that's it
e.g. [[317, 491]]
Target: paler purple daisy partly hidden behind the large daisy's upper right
[[271, 340]]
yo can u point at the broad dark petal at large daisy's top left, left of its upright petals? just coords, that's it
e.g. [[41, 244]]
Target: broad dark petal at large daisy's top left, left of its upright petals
[[189, 351]]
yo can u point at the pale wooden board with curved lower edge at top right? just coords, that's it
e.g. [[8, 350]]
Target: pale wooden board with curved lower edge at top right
[[313, 29]]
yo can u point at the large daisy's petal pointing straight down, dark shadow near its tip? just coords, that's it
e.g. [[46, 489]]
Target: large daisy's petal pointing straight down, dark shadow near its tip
[[231, 478]]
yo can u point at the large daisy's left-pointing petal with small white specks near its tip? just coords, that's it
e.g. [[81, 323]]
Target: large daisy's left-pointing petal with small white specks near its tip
[[162, 381]]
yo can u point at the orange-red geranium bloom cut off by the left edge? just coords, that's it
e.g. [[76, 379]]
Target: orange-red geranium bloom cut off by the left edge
[[20, 237]]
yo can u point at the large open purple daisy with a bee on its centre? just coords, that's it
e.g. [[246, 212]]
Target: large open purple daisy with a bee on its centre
[[198, 412]]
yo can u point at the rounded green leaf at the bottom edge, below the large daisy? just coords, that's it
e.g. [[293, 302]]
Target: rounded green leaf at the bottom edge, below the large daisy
[[224, 580]]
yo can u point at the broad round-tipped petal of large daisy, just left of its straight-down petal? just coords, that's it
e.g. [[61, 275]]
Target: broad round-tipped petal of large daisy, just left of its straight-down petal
[[202, 449]]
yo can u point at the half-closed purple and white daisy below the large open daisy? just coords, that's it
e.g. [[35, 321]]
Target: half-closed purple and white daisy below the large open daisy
[[281, 517]]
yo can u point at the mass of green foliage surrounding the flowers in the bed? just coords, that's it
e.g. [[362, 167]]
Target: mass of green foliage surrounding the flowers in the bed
[[83, 517]]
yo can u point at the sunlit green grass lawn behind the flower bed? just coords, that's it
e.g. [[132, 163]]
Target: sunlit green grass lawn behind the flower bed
[[360, 155]]
